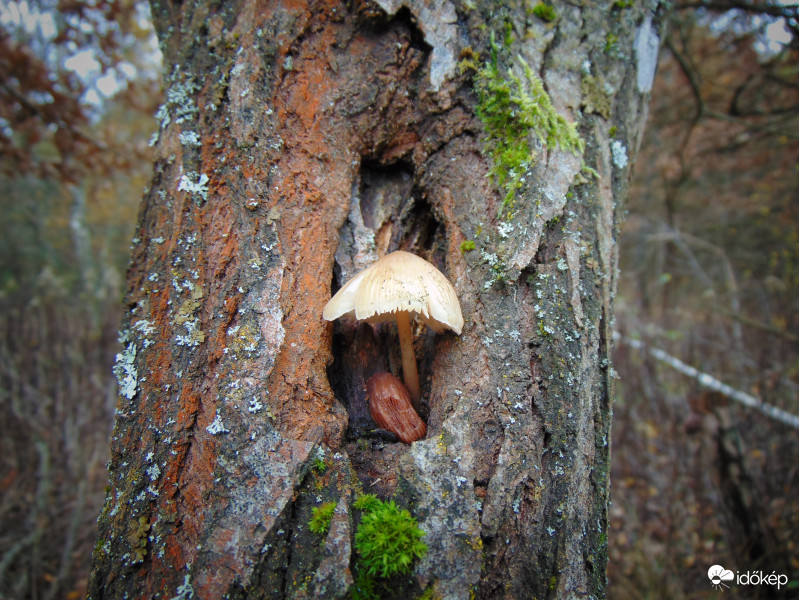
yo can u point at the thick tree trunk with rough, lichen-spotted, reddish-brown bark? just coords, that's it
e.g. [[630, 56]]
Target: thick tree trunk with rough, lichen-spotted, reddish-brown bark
[[300, 141]]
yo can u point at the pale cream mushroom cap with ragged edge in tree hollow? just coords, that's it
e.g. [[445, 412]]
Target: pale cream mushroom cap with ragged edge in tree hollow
[[399, 281]]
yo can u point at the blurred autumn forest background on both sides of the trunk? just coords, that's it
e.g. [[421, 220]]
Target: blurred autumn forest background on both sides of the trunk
[[703, 474]]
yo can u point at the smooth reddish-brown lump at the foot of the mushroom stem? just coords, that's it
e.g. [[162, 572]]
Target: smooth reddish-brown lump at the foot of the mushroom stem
[[391, 408]]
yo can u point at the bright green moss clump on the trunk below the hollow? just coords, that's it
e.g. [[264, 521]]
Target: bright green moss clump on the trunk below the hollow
[[388, 539]]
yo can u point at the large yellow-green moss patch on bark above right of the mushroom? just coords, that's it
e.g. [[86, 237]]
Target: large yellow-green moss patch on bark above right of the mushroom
[[511, 109]]
